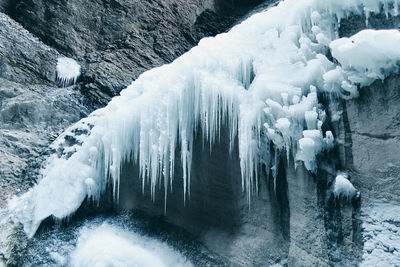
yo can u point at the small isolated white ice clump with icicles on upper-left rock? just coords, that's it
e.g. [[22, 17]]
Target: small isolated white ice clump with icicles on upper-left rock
[[68, 71]]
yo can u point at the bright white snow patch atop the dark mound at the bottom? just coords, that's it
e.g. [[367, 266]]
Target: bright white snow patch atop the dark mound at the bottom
[[107, 245]]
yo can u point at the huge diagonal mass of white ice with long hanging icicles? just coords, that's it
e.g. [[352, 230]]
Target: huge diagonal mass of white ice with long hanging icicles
[[261, 80]]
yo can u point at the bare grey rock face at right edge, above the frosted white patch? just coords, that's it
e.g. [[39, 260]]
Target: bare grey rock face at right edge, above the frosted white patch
[[373, 140]]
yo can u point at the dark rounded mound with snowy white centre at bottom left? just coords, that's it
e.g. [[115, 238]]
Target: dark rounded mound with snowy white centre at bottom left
[[117, 240]]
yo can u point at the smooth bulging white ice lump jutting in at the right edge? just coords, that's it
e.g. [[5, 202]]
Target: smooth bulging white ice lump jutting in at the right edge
[[364, 57]]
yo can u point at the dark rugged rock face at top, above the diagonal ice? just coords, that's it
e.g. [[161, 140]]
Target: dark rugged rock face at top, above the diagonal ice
[[116, 40]]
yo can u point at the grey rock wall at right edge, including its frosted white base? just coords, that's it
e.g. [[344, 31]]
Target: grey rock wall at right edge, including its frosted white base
[[369, 144]]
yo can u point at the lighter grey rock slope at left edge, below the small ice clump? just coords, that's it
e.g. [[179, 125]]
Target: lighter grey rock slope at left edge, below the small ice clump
[[33, 110]]
